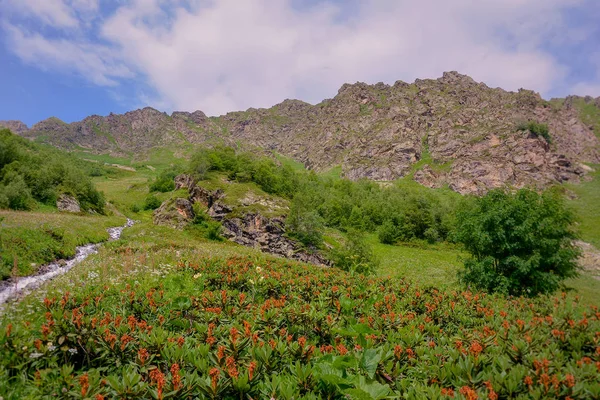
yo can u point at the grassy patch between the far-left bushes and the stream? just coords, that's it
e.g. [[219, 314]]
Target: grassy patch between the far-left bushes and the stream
[[31, 239]]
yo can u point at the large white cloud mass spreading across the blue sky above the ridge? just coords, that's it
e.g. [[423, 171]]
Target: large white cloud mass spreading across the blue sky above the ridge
[[224, 55]]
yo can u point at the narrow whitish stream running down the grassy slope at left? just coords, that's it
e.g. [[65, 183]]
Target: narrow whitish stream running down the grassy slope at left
[[16, 287]]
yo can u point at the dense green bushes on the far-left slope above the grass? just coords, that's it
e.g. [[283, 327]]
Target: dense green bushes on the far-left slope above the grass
[[31, 175]]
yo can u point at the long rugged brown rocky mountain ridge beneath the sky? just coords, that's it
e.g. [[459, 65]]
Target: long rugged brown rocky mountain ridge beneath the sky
[[447, 131]]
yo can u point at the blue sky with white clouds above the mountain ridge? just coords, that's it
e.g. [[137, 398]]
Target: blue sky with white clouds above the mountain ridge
[[74, 58]]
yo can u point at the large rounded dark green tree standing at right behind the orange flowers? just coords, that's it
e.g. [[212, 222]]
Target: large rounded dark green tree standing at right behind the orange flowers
[[520, 244]]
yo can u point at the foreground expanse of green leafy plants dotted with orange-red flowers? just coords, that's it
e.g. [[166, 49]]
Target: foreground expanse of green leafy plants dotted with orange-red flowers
[[245, 327]]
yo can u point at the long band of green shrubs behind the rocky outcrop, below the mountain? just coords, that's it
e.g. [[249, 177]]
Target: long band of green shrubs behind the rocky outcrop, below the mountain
[[406, 211]]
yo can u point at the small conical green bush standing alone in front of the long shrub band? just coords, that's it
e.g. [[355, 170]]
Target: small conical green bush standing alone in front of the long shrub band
[[355, 255]]
